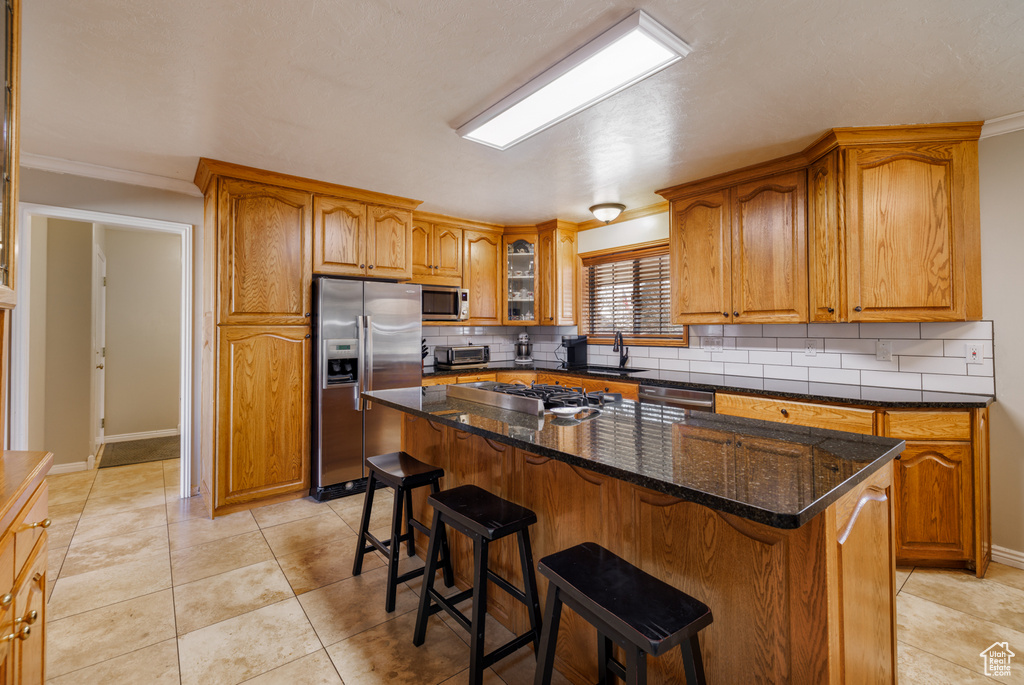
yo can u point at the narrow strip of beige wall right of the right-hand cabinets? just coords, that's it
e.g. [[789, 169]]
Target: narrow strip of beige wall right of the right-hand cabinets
[[1002, 161]]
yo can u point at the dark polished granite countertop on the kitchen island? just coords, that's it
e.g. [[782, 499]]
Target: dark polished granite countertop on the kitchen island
[[772, 474]]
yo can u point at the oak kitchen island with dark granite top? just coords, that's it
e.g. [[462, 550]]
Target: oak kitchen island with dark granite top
[[785, 532]]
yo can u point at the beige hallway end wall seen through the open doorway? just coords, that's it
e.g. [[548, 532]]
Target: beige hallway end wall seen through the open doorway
[[144, 328]]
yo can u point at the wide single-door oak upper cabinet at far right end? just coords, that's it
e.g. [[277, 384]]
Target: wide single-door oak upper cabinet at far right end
[[907, 242]]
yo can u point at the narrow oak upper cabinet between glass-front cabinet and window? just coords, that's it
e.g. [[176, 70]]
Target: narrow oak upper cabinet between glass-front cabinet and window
[[558, 274]]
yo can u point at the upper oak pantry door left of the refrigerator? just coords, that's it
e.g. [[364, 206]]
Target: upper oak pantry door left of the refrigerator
[[264, 235]]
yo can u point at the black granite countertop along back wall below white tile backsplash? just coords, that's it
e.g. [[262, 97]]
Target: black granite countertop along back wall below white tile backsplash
[[823, 393]]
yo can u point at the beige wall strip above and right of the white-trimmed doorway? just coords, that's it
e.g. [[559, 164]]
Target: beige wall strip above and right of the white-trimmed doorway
[[46, 188]]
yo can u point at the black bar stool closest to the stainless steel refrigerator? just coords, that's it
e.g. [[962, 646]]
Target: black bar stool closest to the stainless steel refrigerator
[[403, 474]]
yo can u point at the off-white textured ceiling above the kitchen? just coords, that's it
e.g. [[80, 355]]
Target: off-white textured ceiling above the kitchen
[[369, 94]]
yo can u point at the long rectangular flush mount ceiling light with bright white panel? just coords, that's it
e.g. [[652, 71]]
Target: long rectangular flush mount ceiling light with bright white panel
[[628, 53]]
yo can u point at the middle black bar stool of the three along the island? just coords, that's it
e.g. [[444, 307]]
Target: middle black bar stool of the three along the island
[[485, 519]]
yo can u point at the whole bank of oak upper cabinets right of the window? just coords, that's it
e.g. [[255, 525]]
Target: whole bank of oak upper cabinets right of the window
[[892, 233]]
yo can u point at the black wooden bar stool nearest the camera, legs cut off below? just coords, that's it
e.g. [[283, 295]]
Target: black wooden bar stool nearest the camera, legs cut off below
[[635, 610]]
